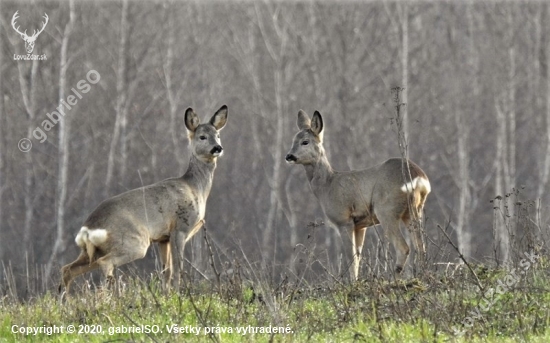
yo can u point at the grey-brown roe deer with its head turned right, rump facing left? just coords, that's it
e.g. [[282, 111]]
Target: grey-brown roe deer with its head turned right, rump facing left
[[169, 212]]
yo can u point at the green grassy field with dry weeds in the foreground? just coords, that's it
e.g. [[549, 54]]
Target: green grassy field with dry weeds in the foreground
[[465, 305]]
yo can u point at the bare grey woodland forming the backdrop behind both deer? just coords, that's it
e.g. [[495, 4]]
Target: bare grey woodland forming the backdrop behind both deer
[[476, 82]]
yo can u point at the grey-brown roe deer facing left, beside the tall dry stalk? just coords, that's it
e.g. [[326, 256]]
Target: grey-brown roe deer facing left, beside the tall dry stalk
[[354, 200]]
